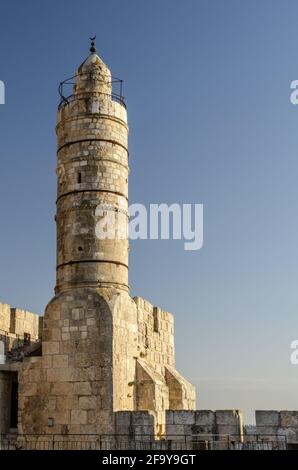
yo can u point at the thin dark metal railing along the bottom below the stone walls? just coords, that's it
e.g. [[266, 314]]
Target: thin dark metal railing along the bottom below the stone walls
[[141, 442]]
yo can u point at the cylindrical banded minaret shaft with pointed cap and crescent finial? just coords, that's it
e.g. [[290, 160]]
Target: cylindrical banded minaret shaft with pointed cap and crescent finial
[[92, 173]]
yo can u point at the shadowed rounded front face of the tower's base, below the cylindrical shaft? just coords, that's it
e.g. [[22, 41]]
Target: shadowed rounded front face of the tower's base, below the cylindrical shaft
[[69, 389]]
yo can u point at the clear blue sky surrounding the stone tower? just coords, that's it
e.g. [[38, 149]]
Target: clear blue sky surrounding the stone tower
[[207, 85]]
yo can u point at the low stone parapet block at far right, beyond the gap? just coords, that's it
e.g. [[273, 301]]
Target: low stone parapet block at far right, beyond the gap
[[274, 423]]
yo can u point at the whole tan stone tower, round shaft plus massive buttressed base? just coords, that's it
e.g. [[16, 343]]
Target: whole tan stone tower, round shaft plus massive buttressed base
[[102, 351]]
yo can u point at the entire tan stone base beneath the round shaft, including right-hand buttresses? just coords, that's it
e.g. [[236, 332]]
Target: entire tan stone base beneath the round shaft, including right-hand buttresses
[[97, 359]]
